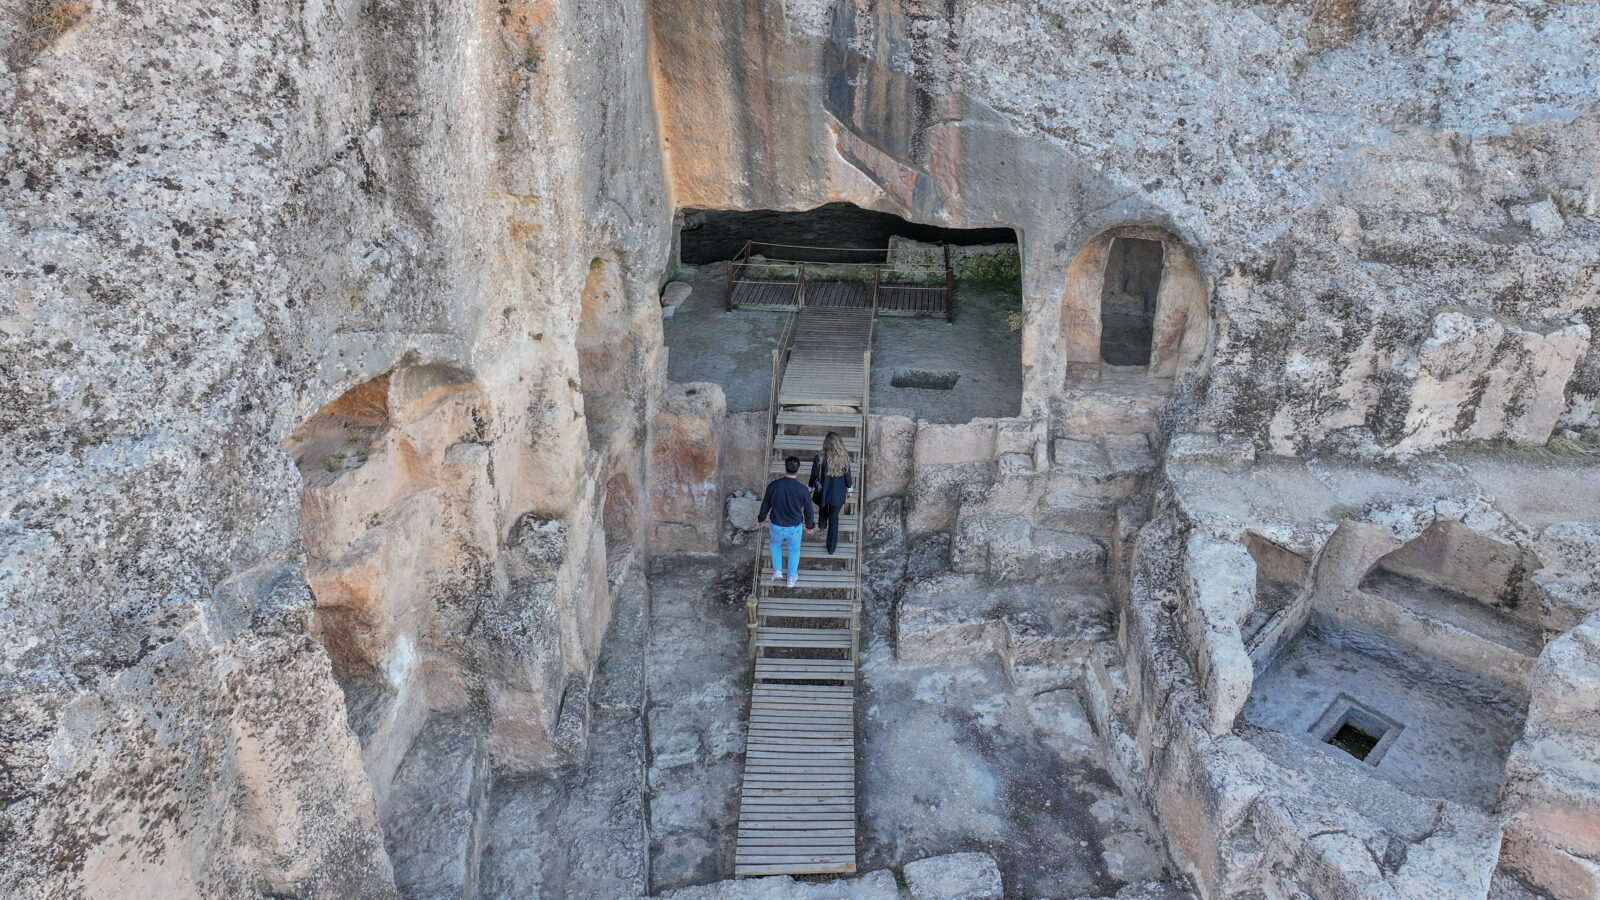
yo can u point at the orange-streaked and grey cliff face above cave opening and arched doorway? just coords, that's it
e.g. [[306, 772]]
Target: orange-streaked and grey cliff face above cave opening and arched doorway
[[1346, 175]]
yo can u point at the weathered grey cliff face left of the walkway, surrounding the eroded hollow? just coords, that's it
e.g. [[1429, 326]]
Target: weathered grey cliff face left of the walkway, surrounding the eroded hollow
[[214, 222]]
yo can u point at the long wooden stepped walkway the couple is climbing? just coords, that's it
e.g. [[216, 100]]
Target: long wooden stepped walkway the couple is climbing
[[798, 805]]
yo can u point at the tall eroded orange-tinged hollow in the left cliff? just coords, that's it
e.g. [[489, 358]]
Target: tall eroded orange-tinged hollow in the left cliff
[[399, 523]]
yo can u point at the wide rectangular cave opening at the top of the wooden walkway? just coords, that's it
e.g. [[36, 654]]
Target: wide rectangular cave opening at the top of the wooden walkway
[[924, 366]]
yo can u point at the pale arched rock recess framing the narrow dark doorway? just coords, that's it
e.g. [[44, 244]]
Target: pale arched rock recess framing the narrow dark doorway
[[1180, 323]]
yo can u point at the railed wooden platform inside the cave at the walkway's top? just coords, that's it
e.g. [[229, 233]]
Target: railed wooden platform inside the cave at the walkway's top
[[761, 278]]
